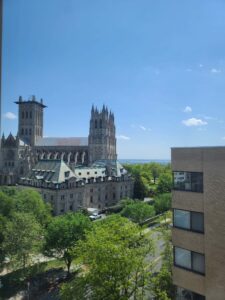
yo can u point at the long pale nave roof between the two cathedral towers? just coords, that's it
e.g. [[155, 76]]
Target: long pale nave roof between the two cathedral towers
[[62, 141]]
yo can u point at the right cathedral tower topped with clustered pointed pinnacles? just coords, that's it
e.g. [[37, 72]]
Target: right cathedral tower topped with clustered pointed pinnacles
[[102, 135]]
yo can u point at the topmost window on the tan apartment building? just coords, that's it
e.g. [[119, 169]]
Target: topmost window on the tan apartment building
[[188, 181]]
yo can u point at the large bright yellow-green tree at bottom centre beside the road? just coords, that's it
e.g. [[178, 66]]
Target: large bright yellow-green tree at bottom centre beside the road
[[113, 255]]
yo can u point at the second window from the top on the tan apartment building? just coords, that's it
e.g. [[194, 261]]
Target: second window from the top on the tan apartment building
[[189, 220]]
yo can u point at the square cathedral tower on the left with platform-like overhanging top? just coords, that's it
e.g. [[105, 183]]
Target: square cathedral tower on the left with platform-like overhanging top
[[30, 127]]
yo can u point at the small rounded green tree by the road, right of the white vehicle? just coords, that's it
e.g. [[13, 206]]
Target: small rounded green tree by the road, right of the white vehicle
[[138, 211]]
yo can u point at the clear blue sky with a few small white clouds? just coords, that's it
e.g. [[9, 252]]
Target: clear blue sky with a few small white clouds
[[159, 65]]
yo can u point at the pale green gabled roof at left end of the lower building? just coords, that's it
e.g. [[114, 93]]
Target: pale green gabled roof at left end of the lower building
[[55, 171]]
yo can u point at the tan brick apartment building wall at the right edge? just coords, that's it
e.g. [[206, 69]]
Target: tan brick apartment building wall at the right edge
[[208, 243]]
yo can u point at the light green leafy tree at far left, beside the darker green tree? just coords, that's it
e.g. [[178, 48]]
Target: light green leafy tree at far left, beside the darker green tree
[[22, 238]]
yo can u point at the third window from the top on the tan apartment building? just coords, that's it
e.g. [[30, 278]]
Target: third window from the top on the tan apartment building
[[189, 260]]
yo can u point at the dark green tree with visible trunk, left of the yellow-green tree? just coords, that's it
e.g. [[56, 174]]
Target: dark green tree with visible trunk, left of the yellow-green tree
[[62, 235]]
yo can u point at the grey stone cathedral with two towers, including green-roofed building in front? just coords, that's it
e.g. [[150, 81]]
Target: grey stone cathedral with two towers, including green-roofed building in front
[[69, 172]]
